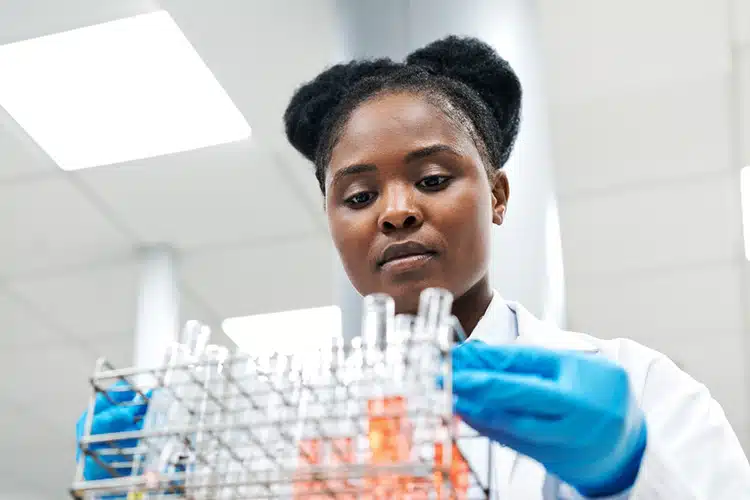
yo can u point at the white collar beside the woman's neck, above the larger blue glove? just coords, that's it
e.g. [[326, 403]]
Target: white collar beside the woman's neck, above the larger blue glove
[[506, 322]]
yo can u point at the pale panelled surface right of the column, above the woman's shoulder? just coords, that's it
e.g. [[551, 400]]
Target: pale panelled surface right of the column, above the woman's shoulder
[[645, 98]]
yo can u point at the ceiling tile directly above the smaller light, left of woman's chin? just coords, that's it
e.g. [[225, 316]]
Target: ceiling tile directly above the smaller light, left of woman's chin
[[273, 277]]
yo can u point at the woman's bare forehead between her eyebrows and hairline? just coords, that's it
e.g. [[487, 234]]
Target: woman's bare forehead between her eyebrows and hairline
[[395, 123]]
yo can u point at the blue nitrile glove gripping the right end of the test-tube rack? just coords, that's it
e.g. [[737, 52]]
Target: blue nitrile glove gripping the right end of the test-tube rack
[[572, 412]]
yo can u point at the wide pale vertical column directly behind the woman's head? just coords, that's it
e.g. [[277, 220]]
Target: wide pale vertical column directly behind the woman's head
[[527, 254]]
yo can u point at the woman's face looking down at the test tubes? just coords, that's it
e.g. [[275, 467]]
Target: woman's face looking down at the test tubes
[[409, 201]]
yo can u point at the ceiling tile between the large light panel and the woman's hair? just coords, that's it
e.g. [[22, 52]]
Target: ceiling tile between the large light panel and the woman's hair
[[270, 32]]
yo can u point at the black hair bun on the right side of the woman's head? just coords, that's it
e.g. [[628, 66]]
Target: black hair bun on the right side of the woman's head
[[477, 65]]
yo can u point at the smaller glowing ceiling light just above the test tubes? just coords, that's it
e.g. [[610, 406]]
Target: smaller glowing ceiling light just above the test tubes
[[286, 332]]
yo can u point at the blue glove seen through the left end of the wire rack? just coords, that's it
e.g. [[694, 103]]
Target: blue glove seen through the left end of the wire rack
[[121, 416]]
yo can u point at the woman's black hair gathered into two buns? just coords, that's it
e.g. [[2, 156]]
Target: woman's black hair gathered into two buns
[[464, 77]]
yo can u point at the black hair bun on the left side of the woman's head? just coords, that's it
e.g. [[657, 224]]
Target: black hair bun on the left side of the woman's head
[[314, 101]]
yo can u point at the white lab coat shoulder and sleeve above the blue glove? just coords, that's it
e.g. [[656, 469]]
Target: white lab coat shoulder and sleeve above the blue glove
[[692, 451]]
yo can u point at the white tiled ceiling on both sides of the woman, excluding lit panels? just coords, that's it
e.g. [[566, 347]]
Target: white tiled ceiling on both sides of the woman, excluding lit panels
[[646, 152]]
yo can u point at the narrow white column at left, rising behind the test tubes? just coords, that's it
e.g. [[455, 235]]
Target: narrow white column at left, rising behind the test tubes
[[157, 316]]
